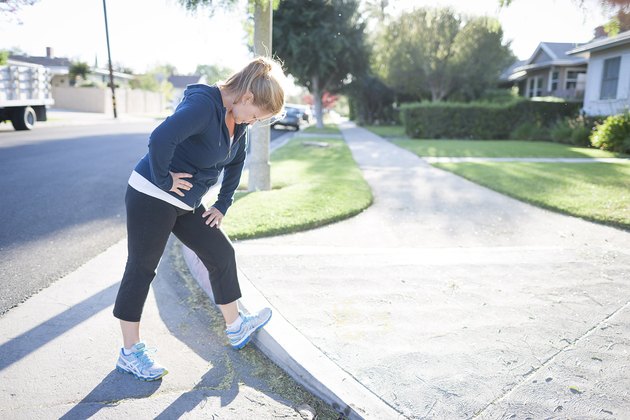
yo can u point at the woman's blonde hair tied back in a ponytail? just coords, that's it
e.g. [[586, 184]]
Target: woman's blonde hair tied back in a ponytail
[[264, 78]]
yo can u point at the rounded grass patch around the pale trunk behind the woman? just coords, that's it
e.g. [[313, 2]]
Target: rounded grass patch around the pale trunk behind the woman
[[311, 186]]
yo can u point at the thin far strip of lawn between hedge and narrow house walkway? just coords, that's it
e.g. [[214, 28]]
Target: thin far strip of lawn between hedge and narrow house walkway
[[500, 148]]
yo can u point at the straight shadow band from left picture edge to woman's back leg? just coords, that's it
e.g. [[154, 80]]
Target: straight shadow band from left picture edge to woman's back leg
[[35, 338]]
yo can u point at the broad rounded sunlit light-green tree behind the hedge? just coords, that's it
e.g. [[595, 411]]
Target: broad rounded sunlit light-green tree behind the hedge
[[434, 53]]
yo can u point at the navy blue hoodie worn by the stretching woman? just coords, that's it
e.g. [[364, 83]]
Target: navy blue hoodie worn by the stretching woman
[[196, 140]]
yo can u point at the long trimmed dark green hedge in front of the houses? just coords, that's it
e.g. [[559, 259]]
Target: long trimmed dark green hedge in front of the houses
[[480, 121]]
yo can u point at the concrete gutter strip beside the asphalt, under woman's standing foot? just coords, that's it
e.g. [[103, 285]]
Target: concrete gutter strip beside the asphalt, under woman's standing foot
[[59, 348]]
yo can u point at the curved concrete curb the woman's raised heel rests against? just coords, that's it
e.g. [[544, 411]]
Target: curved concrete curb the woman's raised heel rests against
[[292, 352]]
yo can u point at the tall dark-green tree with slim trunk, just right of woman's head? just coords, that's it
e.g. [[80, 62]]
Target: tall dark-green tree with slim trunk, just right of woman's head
[[322, 44]]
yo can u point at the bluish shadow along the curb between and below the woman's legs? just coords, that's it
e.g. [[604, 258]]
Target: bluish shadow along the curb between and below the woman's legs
[[193, 319]]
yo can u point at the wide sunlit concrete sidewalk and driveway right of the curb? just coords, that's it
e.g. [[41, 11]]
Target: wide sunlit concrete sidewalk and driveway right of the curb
[[448, 300]]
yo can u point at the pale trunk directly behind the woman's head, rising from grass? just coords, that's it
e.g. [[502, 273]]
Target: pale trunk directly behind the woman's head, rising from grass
[[259, 168]]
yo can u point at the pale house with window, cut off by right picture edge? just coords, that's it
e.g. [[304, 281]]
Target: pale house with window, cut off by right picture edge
[[608, 80]]
